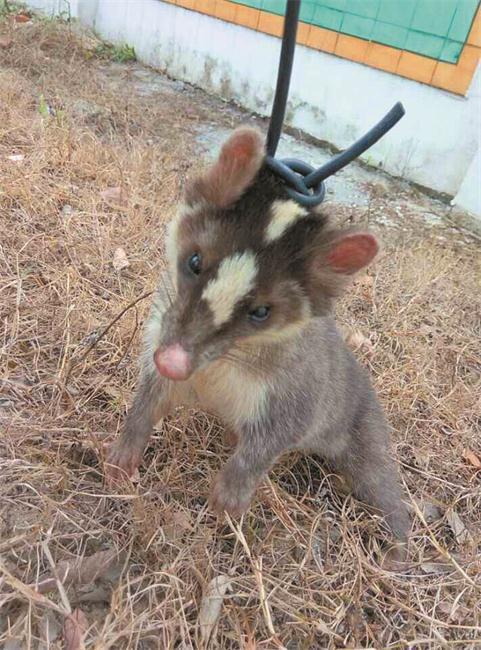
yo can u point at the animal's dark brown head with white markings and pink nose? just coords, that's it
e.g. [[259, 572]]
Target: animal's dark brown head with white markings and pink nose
[[249, 264]]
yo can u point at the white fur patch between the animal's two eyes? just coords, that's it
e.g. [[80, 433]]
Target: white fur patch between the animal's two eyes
[[235, 278]]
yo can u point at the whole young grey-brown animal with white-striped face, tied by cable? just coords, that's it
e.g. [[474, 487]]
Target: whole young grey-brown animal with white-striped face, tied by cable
[[249, 335]]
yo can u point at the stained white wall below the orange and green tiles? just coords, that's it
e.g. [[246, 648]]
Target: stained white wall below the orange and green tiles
[[436, 144]]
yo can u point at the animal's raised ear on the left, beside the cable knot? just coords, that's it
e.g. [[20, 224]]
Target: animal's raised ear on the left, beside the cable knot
[[239, 161]]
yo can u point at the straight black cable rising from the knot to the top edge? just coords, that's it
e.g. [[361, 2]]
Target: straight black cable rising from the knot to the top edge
[[283, 75]]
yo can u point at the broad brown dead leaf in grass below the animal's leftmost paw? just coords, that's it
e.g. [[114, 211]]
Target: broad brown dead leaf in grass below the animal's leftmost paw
[[82, 571]]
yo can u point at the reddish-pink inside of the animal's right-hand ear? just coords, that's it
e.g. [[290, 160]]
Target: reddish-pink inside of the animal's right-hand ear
[[352, 252]]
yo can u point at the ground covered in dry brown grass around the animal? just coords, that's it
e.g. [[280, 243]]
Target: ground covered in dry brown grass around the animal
[[92, 160]]
